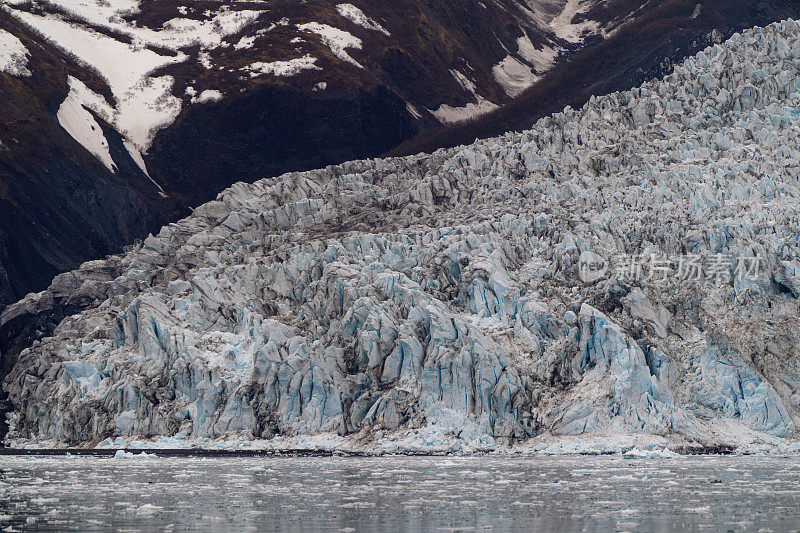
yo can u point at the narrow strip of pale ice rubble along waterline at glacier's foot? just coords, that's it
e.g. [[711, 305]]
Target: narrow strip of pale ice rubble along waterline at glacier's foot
[[429, 441]]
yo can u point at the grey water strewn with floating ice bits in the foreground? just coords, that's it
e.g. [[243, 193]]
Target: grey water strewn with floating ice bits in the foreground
[[401, 493]]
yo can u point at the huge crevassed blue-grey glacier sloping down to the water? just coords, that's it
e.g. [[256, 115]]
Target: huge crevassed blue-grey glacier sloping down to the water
[[632, 267]]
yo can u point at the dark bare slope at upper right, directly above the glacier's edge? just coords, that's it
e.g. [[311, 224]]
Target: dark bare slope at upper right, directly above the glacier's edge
[[642, 49]]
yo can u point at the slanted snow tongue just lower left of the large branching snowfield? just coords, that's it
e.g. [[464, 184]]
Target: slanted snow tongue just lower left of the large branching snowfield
[[81, 124]]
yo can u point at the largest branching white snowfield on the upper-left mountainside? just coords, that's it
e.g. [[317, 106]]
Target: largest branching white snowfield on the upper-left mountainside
[[143, 104]]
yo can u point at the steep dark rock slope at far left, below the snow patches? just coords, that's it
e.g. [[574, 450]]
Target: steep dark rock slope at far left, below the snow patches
[[59, 206]]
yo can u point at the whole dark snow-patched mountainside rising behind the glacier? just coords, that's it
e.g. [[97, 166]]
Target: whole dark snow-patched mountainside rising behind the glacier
[[119, 116]]
